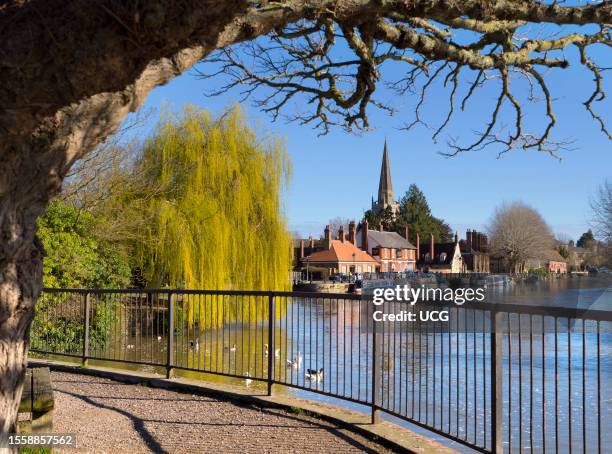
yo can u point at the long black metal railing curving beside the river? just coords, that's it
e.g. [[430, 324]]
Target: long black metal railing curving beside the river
[[493, 377]]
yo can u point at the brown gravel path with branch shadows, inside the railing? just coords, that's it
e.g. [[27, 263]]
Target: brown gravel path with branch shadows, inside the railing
[[109, 416]]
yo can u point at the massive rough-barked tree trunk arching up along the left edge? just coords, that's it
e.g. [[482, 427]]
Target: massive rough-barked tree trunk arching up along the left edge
[[77, 100]]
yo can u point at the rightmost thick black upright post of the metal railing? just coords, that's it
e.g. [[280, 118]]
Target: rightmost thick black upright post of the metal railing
[[497, 409]]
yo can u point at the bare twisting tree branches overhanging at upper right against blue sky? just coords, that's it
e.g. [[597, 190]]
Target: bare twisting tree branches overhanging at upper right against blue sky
[[334, 62]]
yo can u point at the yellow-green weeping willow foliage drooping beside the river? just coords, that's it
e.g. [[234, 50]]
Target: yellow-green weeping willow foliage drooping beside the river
[[216, 219]]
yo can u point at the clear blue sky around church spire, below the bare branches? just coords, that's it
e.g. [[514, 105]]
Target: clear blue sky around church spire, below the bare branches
[[336, 175]]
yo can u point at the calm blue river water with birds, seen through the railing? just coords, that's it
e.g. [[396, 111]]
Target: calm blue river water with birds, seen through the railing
[[438, 374]]
